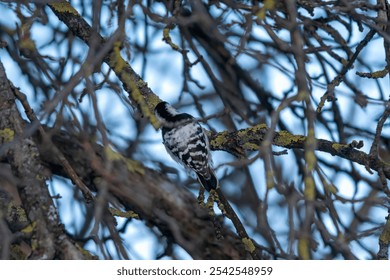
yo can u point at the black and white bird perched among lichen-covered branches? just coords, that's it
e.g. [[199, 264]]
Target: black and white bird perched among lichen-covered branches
[[187, 143]]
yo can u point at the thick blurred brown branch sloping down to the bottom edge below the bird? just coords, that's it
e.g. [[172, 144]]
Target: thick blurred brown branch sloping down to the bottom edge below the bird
[[156, 200]]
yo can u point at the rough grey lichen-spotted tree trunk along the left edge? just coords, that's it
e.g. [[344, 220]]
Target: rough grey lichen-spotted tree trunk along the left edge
[[48, 240]]
